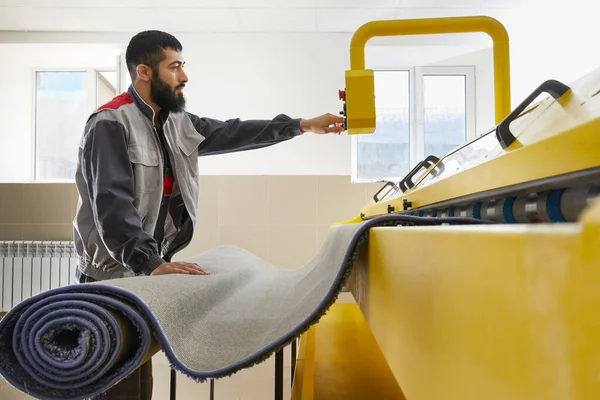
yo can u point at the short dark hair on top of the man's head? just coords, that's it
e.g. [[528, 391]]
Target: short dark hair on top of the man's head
[[148, 48]]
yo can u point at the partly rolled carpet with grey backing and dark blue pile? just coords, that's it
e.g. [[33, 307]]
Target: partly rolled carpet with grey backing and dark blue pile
[[78, 341]]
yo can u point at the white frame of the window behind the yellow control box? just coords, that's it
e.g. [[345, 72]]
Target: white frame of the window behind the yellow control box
[[416, 111]]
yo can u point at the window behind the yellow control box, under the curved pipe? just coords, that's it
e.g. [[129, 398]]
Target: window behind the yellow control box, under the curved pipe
[[419, 112]]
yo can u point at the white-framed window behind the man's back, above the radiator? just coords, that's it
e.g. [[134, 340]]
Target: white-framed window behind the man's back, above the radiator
[[63, 102]]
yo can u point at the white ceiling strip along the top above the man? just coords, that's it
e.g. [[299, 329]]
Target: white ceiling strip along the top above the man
[[231, 15]]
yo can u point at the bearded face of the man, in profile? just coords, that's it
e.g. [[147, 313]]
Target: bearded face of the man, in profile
[[166, 87]]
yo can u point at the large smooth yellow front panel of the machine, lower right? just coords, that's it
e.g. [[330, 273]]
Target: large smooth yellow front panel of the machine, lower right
[[489, 312]]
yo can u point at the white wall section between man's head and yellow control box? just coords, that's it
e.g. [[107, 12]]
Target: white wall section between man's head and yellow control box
[[260, 76]]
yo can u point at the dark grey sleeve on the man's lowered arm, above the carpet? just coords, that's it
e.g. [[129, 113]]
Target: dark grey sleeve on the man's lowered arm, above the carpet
[[109, 179]]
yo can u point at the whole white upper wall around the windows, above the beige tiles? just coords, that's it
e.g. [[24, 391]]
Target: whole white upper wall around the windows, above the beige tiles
[[245, 76]]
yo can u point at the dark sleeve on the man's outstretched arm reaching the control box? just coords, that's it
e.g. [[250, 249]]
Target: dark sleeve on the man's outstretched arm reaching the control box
[[237, 135]]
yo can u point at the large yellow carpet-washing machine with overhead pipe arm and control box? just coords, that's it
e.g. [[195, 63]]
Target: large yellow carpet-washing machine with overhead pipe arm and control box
[[502, 310]]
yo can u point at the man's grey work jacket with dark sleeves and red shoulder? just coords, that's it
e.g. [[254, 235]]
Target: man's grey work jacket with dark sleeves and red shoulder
[[120, 180]]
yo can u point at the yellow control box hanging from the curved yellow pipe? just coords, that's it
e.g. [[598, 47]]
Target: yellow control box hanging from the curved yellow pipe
[[360, 101]]
